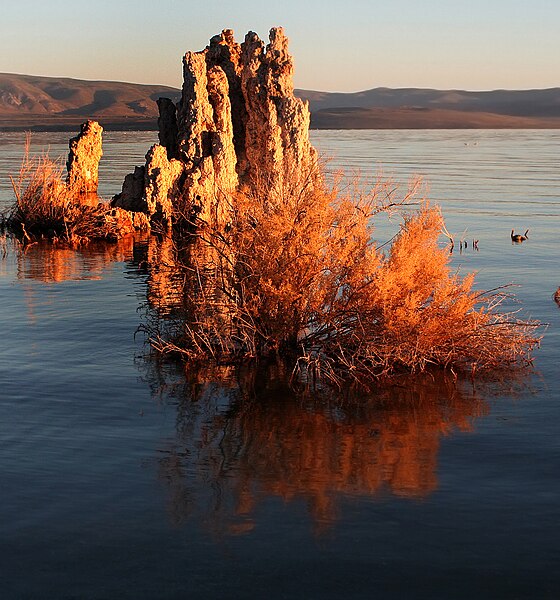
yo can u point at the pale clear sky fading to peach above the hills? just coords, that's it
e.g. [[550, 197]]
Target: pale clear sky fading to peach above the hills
[[342, 45]]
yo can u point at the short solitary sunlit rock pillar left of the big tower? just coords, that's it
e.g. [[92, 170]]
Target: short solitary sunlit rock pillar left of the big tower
[[83, 161]]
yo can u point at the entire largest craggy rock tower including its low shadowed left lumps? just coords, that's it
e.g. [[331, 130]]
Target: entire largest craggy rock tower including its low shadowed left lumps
[[238, 122]]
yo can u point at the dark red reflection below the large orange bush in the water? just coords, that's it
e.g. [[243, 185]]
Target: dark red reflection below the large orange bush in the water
[[247, 440]]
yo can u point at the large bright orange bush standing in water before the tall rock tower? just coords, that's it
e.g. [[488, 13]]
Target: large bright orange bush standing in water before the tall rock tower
[[296, 272]]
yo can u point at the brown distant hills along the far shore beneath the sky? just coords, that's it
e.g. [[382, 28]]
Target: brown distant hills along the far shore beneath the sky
[[50, 103]]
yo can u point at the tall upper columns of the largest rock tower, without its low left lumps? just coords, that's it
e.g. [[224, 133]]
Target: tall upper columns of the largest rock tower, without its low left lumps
[[239, 120]]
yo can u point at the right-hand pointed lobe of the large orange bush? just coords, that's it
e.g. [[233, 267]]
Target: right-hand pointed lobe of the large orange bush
[[416, 312]]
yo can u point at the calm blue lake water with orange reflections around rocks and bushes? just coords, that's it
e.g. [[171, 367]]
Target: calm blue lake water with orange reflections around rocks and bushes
[[122, 480]]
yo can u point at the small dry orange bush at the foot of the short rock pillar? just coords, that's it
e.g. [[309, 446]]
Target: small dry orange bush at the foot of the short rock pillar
[[45, 206]]
